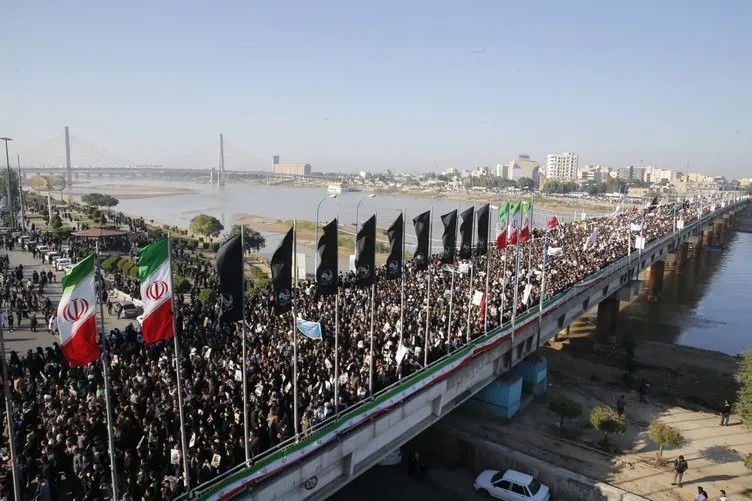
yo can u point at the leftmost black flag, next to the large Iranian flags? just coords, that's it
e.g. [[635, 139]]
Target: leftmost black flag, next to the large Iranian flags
[[230, 279]]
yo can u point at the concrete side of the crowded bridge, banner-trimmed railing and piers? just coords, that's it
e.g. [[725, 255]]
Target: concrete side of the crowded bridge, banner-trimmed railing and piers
[[330, 456]]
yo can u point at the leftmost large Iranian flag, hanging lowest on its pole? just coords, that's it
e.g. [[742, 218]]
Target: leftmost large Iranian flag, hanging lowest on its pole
[[76, 314]]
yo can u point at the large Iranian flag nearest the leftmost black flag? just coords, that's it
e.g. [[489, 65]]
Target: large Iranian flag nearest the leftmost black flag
[[155, 274]]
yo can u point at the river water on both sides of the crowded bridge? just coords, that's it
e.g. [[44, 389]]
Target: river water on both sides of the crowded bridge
[[706, 307]]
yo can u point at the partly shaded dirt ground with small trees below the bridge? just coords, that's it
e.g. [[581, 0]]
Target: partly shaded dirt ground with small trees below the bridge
[[679, 394]]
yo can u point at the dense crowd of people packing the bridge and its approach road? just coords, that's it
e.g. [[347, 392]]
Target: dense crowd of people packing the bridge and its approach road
[[61, 434]]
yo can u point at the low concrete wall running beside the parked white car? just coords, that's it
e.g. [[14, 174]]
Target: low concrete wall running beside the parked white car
[[482, 454]]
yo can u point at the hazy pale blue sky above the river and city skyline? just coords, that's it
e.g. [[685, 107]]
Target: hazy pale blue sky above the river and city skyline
[[407, 85]]
